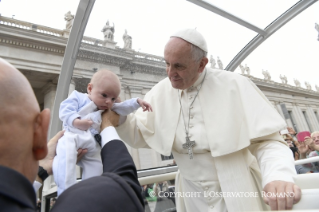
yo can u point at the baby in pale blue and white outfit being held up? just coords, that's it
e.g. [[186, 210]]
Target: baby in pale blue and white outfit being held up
[[81, 116]]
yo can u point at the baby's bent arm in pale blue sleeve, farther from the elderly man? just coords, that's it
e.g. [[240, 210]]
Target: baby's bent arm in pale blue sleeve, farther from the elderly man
[[68, 112]]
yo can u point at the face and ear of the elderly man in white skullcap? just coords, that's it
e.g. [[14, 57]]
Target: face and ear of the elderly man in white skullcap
[[181, 69]]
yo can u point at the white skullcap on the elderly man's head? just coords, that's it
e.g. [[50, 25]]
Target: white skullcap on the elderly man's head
[[192, 36]]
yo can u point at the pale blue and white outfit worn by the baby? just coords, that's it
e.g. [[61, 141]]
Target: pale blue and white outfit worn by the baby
[[78, 105]]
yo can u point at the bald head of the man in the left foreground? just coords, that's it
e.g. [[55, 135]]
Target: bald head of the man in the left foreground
[[23, 129]]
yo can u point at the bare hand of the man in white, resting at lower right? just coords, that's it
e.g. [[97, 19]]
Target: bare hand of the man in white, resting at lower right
[[281, 195]]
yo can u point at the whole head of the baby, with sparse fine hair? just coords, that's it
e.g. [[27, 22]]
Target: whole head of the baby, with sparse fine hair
[[104, 89]]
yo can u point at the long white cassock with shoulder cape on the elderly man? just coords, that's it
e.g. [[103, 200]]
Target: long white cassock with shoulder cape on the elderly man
[[238, 147]]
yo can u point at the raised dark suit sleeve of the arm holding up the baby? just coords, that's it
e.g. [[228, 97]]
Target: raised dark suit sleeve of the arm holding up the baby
[[117, 189]]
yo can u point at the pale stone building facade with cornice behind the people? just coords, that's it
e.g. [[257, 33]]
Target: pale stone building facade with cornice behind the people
[[37, 51]]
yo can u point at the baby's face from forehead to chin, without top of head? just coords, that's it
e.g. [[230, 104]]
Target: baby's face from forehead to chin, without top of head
[[103, 94]]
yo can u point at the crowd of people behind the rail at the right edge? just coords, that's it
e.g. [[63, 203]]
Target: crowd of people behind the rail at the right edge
[[302, 148]]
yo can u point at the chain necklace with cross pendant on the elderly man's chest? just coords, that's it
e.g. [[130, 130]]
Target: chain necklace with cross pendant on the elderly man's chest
[[189, 144]]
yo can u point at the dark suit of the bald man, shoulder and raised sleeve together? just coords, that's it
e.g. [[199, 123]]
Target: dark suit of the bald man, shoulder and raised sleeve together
[[116, 190]]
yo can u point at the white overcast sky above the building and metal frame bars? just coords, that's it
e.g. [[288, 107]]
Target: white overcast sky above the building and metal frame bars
[[292, 51]]
